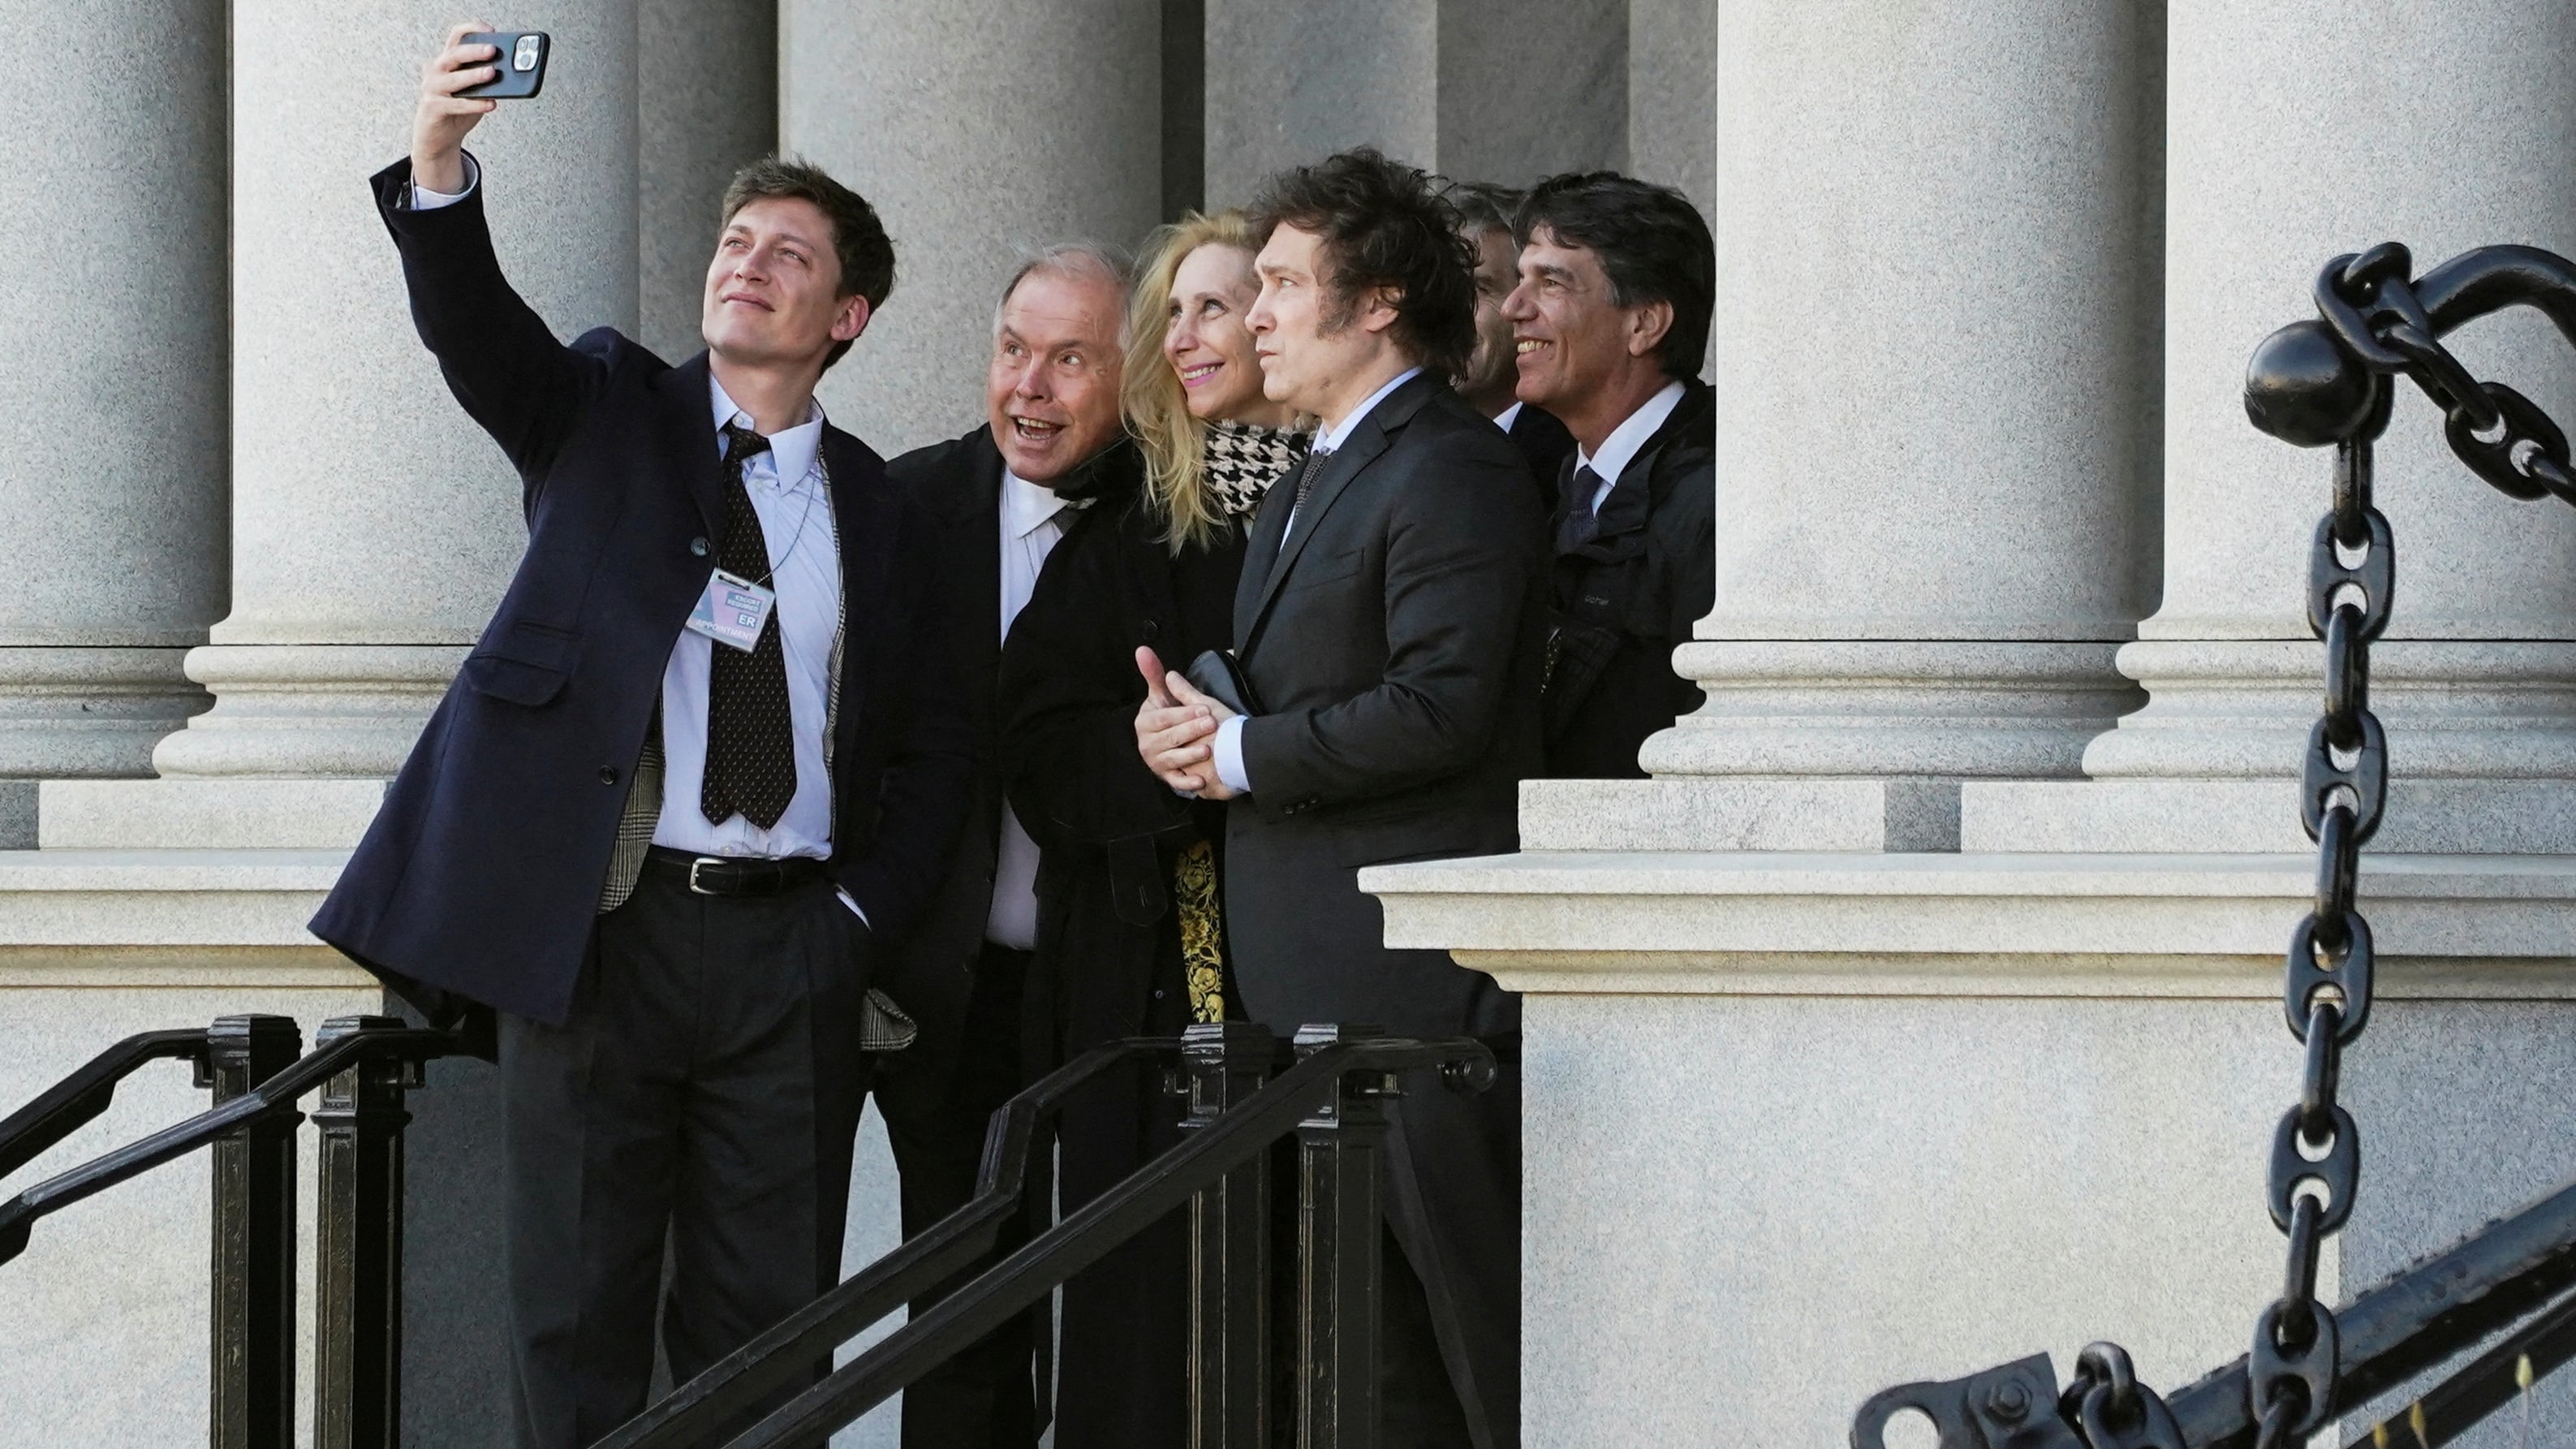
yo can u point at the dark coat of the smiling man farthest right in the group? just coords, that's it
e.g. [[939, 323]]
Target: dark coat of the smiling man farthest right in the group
[[1629, 597]]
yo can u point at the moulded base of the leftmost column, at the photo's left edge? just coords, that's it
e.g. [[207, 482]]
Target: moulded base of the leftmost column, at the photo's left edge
[[89, 713]]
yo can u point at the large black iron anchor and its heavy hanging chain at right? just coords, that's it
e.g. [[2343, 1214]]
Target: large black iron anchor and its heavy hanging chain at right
[[2333, 383]]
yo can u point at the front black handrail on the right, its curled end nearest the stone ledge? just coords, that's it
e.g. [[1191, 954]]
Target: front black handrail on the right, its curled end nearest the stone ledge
[[1099, 1229]]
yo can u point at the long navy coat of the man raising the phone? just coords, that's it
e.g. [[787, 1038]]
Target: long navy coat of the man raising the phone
[[483, 873]]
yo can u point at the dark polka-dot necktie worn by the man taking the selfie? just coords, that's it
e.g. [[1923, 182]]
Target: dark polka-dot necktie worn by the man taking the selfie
[[751, 746]]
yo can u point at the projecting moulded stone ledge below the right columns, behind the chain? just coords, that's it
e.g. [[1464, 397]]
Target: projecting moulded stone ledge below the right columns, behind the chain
[[1980, 924]]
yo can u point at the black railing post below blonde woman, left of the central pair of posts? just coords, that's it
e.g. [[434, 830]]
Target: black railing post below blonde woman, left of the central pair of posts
[[1230, 1249]]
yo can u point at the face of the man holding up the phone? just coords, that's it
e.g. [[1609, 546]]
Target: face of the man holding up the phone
[[772, 293]]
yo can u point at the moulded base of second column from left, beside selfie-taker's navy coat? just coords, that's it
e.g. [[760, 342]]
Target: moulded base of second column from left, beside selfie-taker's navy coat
[[308, 710]]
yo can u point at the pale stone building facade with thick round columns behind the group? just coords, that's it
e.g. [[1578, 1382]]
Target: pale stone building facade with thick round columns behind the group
[[1918, 1012]]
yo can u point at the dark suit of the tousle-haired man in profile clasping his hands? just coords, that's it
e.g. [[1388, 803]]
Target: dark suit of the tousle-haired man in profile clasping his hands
[[1395, 654]]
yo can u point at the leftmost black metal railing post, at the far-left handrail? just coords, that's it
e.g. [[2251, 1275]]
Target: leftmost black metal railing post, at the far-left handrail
[[254, 1334]]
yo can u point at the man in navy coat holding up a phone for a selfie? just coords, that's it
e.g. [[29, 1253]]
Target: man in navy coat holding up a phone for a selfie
[[681, 788]]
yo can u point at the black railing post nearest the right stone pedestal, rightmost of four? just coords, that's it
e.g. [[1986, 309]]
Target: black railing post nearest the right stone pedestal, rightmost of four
[[1341, 1223]]
